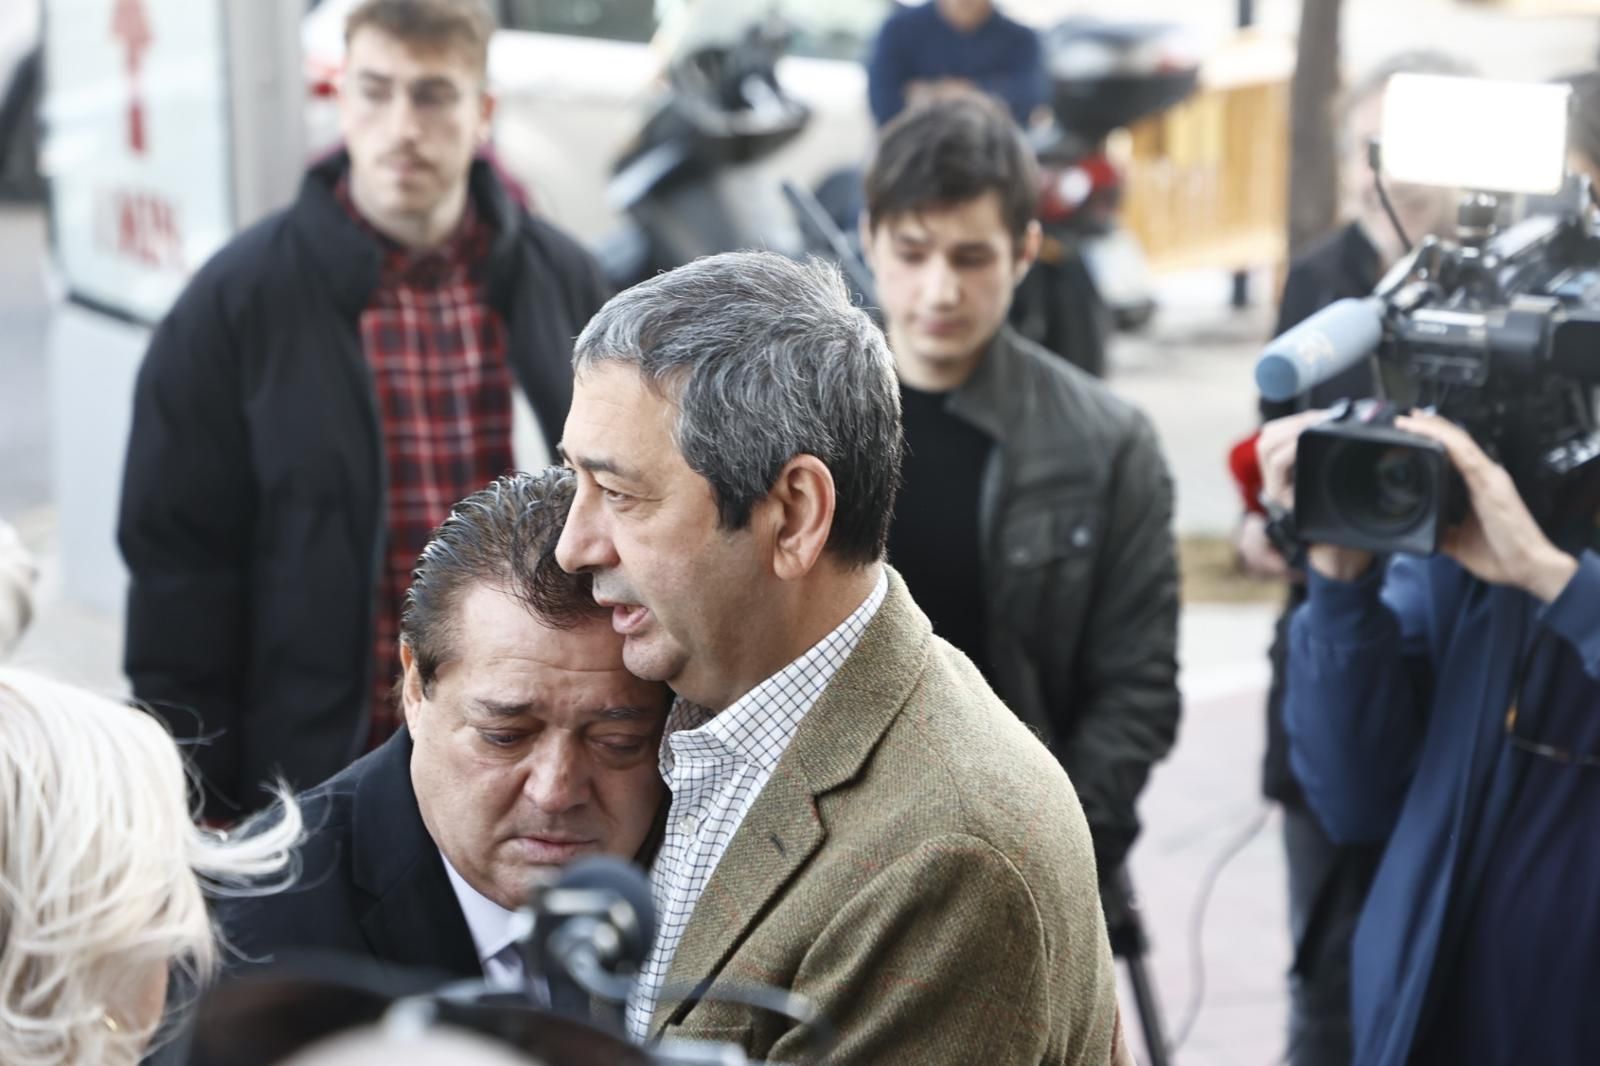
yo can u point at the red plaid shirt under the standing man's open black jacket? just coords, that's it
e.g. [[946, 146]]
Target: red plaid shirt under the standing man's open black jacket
[[444, 383]]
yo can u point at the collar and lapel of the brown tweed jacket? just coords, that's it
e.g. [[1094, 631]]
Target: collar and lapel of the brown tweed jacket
[[785, 828]]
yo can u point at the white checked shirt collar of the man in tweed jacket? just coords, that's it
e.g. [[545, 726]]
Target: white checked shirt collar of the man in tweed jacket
[[748, 729]]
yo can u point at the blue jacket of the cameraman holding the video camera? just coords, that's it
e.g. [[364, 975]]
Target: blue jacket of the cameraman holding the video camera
[[1398, 692]]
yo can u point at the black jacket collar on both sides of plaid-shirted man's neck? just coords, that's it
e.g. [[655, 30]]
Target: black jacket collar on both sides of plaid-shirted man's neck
[[350, 260]]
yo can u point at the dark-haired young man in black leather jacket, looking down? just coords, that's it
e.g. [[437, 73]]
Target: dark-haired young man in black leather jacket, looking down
[[1034, 516]]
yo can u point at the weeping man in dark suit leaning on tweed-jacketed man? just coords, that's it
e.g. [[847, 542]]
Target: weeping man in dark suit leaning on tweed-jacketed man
[[526, 745]]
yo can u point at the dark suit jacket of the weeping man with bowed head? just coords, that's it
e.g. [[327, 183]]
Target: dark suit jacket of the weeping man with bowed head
[[372, 881]]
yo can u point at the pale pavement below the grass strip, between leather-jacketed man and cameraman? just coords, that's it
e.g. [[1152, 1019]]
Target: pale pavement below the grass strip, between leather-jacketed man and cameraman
[[1199, 808]]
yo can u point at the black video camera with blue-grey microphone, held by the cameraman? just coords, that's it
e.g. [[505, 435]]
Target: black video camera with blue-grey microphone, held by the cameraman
[[1497, 332]]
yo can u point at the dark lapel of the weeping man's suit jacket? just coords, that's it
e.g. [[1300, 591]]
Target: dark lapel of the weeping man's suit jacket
[[415, 918]]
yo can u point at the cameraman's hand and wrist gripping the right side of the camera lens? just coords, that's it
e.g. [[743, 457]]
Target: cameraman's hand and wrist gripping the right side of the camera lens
[[1498, 542]]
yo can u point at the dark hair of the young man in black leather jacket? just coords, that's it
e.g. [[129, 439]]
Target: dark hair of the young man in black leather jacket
[[951, 151]]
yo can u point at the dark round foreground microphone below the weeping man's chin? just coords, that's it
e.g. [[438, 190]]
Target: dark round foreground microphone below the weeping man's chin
[[593, 931]]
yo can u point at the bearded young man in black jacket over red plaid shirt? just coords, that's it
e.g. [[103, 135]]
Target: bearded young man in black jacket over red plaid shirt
[[321, 396]]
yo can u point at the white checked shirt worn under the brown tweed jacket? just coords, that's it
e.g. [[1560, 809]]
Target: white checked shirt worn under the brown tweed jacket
[[716, 766]]
